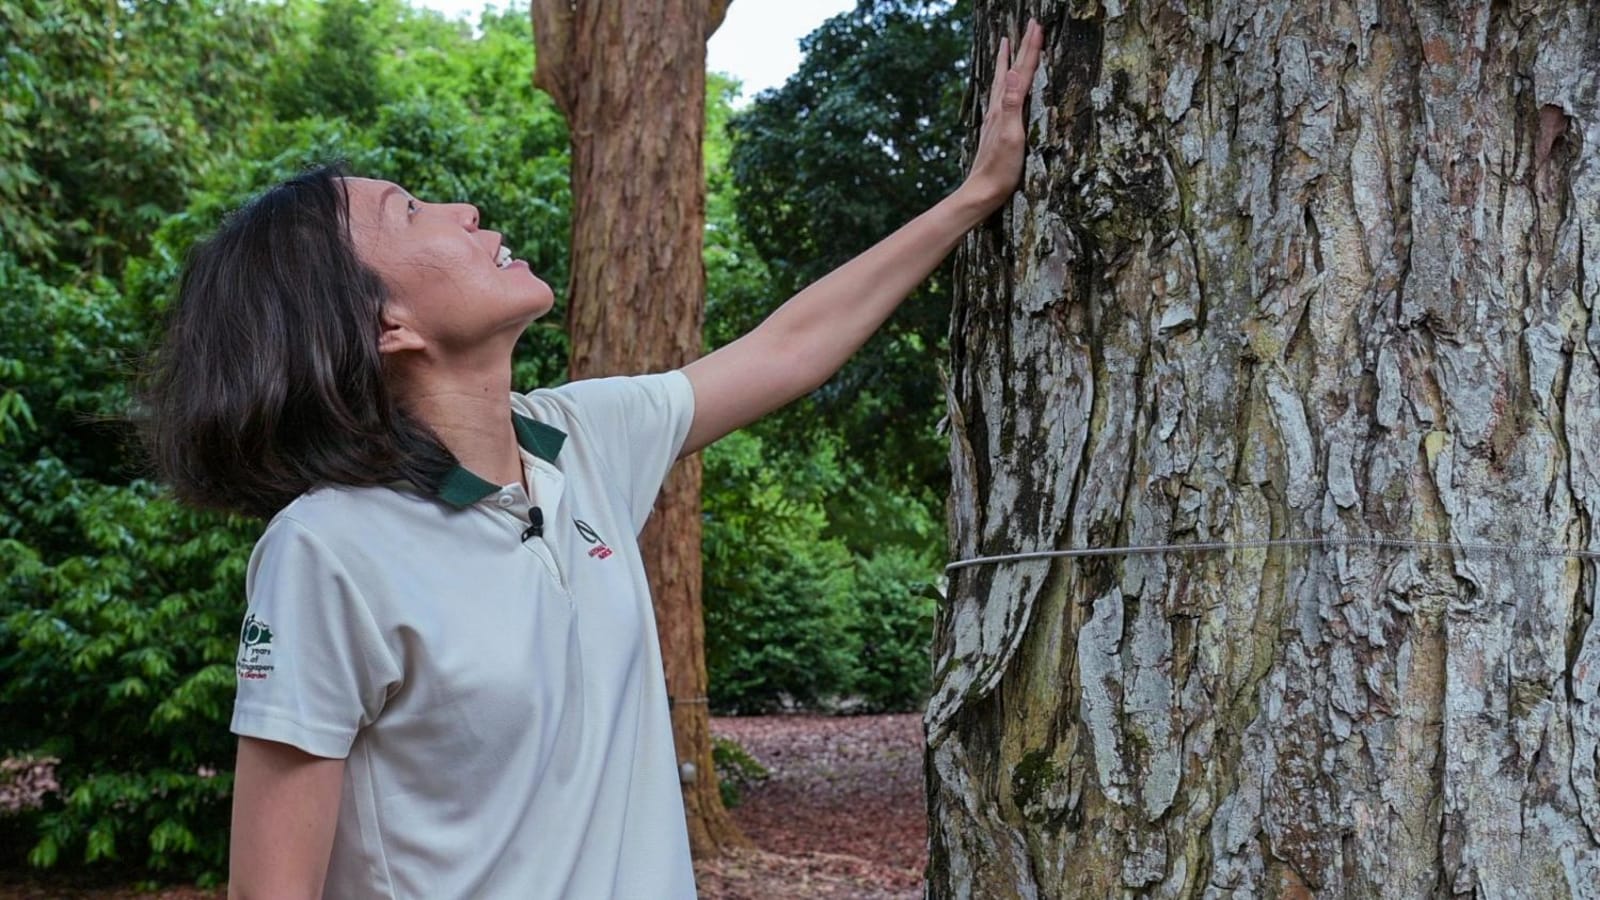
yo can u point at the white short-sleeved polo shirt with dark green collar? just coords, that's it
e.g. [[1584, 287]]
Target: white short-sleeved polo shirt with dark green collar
[[498, 701]]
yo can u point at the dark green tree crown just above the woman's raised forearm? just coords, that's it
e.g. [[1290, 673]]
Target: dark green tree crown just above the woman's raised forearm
[[855, 142]]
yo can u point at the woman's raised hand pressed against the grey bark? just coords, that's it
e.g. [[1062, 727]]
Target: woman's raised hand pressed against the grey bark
[[1001, 142]]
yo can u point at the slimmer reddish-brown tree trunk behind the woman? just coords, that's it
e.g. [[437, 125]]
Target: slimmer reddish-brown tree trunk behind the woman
[[631, 81]]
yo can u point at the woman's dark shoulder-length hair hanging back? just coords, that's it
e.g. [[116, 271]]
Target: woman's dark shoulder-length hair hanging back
[[270, 380]]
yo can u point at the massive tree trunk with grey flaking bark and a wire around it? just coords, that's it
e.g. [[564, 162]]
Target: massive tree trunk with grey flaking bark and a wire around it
[[1281, 270]]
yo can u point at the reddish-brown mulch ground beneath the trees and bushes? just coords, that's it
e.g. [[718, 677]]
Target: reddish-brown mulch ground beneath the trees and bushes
[[841, 816]]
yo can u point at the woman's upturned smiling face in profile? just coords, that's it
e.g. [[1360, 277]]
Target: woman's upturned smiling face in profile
[[449, 291]]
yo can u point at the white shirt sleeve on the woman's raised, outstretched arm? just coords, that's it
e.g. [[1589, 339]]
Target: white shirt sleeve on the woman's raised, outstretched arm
[[639, 427]]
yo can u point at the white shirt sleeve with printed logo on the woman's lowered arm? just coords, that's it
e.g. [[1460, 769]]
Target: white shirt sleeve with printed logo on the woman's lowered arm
[[313, 664]]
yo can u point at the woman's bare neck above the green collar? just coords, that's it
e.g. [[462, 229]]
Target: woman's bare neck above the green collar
[[471, 412]]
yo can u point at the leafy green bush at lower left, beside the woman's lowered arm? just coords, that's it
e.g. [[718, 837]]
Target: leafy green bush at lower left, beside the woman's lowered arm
[[118, 661]]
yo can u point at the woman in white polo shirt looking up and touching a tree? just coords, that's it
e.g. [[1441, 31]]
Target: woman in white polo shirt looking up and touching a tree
[[449, 678]]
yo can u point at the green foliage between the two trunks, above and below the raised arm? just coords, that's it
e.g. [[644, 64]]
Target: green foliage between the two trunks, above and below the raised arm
[[834, 606]]
